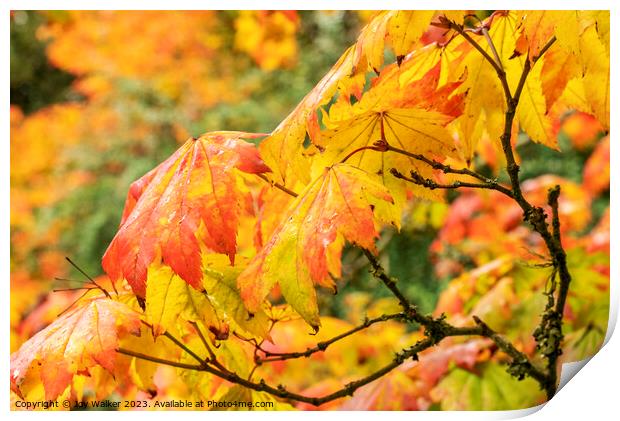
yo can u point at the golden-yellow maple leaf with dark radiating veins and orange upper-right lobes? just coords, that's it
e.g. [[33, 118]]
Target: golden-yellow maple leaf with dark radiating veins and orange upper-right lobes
[[412, 119]]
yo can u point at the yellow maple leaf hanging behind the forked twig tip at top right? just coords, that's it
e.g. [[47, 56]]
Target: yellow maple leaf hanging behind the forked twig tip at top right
[[510, 38]]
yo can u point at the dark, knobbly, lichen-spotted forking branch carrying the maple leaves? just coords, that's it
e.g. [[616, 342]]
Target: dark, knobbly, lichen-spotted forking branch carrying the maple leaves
[[437, 329]]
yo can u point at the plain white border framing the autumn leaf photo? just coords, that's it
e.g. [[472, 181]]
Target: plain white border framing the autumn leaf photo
[[593, 392]]
